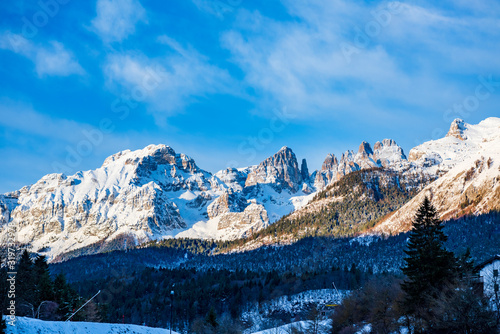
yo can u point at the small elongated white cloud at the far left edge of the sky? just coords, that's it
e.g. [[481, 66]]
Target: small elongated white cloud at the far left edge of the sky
[[52, 59]]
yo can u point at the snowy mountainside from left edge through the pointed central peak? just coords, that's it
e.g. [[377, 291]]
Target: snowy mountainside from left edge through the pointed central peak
[[150, 194]]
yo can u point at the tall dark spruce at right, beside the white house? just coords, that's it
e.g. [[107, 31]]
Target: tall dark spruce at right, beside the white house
[[428, 265]]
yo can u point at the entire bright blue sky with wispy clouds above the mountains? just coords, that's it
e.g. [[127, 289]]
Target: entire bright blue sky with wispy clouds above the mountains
[[229, 82]]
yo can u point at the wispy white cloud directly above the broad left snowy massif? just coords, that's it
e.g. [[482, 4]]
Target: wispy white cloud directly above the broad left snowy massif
[[169, 83]]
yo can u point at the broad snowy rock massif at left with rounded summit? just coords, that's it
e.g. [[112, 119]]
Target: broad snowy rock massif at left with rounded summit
[[127, 195]]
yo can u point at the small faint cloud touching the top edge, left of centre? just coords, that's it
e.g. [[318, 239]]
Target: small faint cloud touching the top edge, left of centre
[[116, 19]]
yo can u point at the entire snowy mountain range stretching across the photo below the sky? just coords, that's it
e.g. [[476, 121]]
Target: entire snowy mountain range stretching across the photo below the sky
[[155, 193]]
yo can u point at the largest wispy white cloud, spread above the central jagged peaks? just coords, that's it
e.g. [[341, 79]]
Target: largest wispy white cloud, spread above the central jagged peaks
[[301, 66]]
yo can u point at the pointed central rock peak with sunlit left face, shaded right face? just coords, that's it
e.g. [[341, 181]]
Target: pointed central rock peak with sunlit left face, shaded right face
[[281, 170]]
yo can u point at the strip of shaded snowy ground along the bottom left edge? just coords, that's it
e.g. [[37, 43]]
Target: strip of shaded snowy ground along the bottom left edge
[[35, 326]]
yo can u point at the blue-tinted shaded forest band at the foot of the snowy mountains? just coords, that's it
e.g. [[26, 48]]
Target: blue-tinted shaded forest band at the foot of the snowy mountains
[[480, 233]]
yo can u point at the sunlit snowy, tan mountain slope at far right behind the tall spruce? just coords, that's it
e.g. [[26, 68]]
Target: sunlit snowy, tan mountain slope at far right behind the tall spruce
[[470, 156]]
